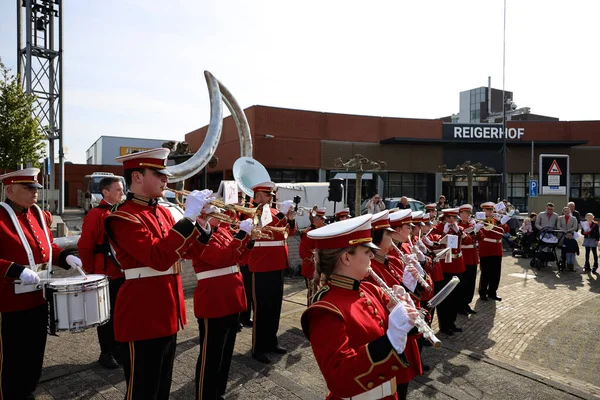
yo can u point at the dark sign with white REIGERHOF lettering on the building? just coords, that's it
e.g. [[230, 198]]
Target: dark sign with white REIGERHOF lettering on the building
[[476, 132]]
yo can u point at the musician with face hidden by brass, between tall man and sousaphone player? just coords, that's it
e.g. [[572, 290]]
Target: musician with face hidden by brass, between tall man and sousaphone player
[[218, 300]]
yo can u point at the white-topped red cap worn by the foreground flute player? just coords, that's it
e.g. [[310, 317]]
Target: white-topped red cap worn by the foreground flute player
[[348, 233]]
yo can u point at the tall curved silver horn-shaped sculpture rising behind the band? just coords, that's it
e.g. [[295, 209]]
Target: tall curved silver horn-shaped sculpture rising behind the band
[[217, 92]]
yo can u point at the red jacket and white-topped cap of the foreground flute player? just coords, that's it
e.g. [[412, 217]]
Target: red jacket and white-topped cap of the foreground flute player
[[347, 324]]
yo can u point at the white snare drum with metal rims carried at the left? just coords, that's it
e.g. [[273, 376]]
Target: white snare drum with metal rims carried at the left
[[78, 303]]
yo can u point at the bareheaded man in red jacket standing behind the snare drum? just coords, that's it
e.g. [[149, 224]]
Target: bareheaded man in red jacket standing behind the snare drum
[[98, 259]]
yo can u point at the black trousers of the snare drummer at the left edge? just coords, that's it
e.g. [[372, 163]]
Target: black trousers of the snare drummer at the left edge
[[22, 346]]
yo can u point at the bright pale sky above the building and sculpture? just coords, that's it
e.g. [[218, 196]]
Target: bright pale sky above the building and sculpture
[[134, 68]]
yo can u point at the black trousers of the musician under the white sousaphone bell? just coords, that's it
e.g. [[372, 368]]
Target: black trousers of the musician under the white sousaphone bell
[[267, 293]]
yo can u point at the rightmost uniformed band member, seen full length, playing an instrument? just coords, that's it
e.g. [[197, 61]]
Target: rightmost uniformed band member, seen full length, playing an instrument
[[490, 253]]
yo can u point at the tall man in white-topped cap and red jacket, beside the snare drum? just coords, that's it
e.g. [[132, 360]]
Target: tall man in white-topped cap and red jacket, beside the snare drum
[[148, 245]]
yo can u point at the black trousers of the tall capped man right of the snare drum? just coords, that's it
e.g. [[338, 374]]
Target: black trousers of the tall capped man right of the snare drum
[[148, 367]]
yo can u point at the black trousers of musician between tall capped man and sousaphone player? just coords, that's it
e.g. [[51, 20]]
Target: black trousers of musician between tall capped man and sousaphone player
[[217, 339]]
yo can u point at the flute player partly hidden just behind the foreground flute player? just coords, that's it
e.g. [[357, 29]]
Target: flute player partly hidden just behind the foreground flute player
[[391, 270]]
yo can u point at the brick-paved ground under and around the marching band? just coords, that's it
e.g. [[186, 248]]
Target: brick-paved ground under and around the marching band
[[540, 342]]
